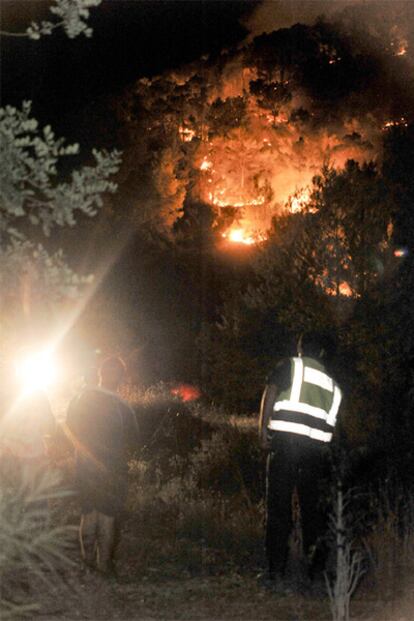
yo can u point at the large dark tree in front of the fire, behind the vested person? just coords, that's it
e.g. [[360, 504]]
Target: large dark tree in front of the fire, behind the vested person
[[325, 267]]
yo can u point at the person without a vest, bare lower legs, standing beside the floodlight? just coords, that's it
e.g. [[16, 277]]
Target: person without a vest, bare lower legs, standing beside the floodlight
[[99, 425]]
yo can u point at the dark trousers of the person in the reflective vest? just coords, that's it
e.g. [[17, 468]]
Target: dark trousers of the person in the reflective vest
[[294, 461]]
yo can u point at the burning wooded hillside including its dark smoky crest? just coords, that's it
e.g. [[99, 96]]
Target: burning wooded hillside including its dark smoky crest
[[252, 128]]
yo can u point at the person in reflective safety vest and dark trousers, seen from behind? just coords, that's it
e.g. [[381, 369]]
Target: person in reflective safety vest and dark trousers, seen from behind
[[298, 413]]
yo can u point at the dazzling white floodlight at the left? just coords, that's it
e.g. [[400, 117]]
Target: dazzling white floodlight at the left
[[36, 371]]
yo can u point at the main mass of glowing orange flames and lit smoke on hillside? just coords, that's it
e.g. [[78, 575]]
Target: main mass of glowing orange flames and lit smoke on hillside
[[268, 164]]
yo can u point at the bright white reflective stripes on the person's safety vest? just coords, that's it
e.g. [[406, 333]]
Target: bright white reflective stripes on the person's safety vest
[[303, 373]]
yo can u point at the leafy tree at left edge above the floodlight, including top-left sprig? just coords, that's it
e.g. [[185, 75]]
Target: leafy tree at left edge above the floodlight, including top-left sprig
[[37, 195]]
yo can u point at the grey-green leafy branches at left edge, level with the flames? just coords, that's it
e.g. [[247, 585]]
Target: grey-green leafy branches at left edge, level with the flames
[[28, 178]]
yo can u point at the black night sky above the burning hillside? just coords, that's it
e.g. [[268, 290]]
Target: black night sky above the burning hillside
[[131, 39]]
